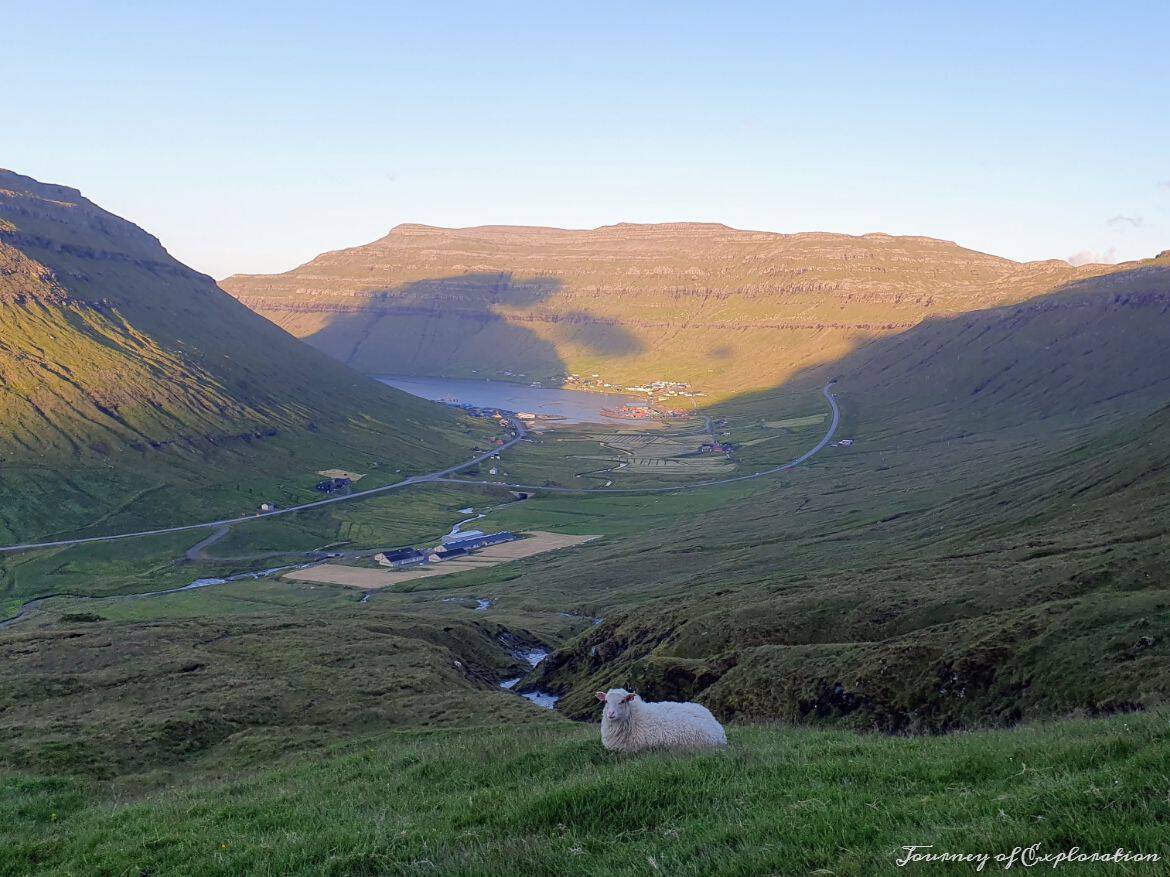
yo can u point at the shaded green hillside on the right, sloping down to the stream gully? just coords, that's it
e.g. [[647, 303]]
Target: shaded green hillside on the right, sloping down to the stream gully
[[995, 548]]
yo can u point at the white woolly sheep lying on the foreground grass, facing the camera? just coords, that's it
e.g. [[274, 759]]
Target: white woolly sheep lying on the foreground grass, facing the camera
[[630, 724]]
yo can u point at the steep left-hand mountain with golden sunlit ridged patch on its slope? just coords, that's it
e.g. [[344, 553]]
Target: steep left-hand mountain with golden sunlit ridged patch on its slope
[[126, 375]]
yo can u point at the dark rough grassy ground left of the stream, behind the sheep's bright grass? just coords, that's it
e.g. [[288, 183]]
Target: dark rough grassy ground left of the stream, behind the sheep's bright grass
[[137, 687]]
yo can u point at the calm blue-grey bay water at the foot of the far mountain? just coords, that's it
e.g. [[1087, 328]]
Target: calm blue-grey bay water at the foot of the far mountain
[[573, 405]]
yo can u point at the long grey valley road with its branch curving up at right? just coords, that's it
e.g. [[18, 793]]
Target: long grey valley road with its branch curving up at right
[[442, 478]]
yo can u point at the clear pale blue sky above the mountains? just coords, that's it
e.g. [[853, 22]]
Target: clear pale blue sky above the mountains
[[250, 137]]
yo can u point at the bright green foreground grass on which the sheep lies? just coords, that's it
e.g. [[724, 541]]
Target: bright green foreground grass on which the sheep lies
[[549, 800]]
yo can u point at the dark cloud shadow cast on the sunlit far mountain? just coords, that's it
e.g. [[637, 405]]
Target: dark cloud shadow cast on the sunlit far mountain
[[464, 324]]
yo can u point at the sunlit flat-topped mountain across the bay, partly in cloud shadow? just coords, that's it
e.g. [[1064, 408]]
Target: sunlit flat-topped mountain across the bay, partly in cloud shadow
[[727, 310]]
